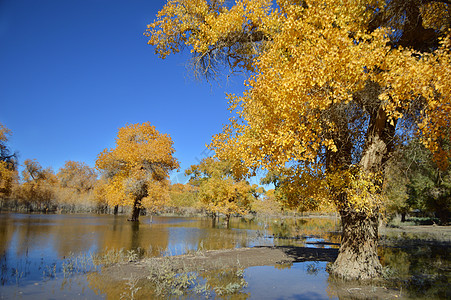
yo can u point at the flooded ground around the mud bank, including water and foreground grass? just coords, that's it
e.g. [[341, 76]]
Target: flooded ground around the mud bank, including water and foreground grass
[[51, 257]]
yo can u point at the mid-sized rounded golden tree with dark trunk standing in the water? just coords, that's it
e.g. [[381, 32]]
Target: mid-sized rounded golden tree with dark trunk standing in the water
[[137, 169]]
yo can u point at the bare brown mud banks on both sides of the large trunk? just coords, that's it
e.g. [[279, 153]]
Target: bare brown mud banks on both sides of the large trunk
[[267, 256]]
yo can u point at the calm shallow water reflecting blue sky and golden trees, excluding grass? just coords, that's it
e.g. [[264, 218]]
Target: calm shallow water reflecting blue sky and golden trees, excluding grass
[[49, 256]]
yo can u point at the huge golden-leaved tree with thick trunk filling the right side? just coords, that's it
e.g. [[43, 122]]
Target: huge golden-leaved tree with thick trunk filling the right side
[[334, 86]]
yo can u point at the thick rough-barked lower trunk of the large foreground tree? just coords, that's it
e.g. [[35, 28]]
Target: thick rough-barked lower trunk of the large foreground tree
[[357, 258]]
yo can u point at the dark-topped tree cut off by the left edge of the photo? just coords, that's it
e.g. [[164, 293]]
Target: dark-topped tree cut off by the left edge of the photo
[[8, 162]]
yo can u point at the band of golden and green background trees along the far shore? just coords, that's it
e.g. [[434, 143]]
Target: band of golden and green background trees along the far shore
[[414, 186]]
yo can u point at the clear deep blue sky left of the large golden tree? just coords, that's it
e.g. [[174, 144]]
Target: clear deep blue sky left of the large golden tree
[[74, 71]]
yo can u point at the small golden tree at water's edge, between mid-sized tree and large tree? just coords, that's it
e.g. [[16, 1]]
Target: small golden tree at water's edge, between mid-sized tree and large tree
[[219, 189]]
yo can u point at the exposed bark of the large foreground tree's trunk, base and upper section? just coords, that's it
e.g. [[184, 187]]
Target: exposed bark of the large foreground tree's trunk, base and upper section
[[357, 258]]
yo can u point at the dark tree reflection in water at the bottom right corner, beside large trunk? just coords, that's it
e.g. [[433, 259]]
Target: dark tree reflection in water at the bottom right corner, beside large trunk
[[413, 269]]
